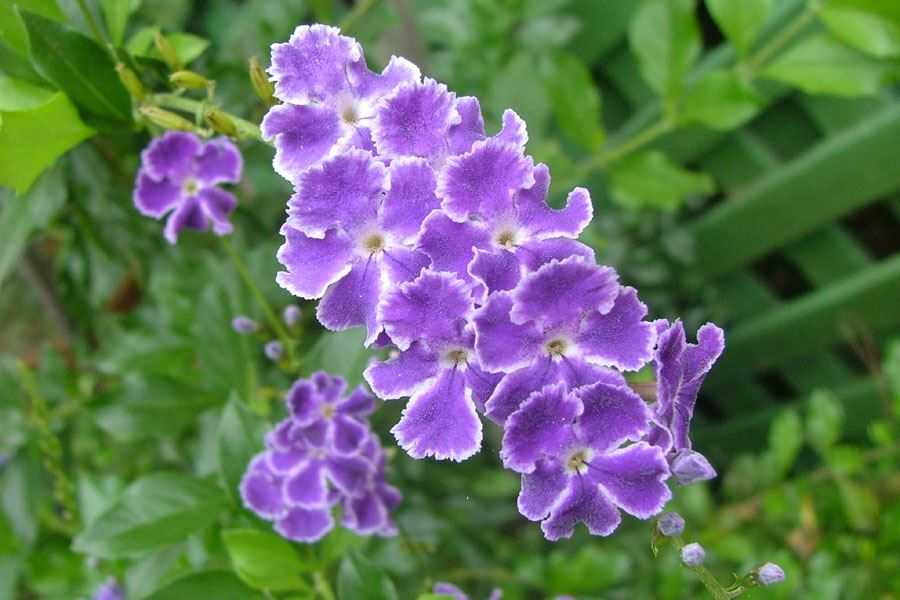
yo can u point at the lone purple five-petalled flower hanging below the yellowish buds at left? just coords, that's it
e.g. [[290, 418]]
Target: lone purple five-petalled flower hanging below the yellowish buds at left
[[180, 175]]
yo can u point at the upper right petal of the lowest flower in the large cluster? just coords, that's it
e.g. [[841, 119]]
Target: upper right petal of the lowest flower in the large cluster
[[612, 415]]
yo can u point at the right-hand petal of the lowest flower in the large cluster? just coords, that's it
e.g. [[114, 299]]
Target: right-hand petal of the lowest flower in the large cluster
[[634, 477]]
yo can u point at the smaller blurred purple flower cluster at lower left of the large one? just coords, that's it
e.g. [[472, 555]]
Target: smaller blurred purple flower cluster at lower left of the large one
[[322, 455]]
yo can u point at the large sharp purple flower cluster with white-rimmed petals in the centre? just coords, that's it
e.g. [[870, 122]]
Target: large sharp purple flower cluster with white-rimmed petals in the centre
[[409, 220]]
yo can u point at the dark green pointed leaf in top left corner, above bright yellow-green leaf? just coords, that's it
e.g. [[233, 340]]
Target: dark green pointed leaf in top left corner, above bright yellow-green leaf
[[78, 66]]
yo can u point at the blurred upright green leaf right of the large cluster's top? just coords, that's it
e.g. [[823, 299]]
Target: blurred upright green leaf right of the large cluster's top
[[576, 101]]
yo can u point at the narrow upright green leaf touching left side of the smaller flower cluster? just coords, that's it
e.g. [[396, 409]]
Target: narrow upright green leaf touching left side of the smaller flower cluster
[[239, 439]]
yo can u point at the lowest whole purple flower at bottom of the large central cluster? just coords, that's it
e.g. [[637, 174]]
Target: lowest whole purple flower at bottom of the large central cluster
[[569, 447]]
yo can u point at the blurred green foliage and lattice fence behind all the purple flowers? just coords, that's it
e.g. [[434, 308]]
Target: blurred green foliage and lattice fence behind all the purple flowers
[[743, 159]]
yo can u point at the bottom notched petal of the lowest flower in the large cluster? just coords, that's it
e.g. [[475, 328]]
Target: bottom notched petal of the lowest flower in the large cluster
[[581, 503]]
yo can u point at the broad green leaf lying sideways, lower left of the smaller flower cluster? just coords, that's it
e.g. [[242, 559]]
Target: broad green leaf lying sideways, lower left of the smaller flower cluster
[[155, 511]]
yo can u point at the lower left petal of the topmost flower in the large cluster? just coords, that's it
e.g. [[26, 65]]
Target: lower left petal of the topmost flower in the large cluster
[[303, 136]]
